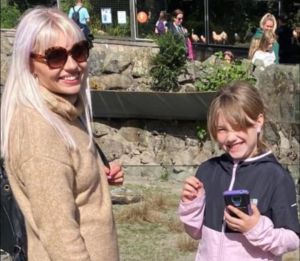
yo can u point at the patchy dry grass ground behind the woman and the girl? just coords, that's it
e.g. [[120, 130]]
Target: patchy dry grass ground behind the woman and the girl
[[161, 239]]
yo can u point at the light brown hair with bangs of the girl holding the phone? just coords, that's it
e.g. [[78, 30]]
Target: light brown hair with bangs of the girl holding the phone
[[240, 104]]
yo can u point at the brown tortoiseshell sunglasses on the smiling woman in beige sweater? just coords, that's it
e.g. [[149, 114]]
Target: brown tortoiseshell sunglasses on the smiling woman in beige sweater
[[56, 56]]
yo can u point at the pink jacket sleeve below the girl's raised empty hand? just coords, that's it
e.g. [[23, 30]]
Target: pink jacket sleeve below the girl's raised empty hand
[[191, 215]]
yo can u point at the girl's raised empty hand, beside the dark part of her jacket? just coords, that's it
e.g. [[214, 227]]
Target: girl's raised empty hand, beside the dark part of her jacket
[[192, 189]]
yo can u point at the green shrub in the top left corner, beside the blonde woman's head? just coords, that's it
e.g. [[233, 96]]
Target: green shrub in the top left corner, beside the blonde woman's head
[[10, 15]]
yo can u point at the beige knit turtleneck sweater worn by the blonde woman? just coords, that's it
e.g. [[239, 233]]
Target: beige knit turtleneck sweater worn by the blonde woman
[[64, 196]]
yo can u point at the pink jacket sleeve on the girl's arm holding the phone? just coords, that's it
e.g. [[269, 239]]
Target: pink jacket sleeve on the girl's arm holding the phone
[[276, 240]]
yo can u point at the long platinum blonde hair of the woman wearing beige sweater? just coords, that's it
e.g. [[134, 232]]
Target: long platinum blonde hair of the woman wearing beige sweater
[[37, 31]]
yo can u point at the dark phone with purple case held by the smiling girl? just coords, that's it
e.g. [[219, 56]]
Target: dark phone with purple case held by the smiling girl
[[239, 199]]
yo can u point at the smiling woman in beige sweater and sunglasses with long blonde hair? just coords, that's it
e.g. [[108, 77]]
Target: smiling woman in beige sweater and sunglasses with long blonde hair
[[53, 166]]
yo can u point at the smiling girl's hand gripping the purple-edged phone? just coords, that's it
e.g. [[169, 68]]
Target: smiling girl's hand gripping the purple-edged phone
[[245, 222]]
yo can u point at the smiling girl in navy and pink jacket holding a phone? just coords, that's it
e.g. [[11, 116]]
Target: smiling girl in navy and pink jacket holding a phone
[[236, 119]]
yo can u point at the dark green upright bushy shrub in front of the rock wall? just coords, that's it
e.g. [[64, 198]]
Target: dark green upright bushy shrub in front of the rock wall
[[169, 63]]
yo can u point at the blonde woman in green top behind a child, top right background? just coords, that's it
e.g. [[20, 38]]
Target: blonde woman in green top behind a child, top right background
[[267, 23]]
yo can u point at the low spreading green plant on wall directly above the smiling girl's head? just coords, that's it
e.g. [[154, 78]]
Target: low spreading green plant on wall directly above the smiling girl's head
[[213, 76]]
